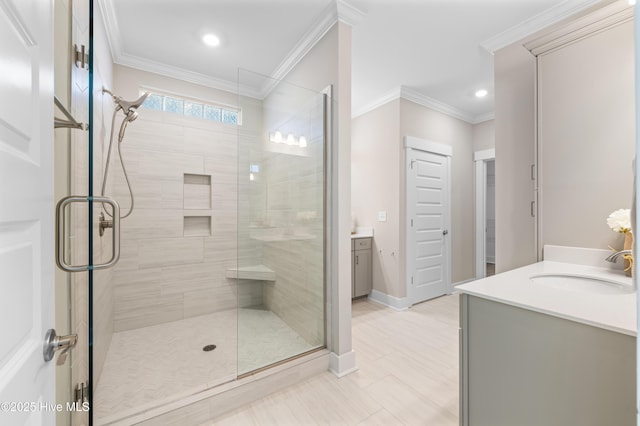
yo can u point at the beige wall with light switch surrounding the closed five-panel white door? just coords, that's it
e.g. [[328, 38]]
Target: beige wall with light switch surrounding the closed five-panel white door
[[378, 184]]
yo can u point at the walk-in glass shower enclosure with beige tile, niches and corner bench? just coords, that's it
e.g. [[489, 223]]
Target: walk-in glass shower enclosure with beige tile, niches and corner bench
[[222, 261]]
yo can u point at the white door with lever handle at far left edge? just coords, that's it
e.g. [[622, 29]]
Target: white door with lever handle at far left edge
[[26, 211]]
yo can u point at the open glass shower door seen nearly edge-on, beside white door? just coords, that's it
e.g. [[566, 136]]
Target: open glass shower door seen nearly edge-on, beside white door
[[72, 166]]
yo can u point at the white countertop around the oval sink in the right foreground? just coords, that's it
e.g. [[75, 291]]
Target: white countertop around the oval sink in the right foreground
[[615, 311]]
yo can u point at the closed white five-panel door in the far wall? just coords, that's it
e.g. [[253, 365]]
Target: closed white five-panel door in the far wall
[[428, 207]]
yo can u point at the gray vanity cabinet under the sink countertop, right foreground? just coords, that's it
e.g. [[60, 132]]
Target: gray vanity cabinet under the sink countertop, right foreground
[[520, 367]]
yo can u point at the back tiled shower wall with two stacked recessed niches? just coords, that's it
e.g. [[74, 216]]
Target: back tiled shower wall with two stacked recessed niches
[[181, 236]]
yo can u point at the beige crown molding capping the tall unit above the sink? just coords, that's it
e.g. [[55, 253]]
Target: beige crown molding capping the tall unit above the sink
[[593, 23]]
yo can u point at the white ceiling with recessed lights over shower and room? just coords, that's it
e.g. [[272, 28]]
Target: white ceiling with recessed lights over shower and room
[[430, 49]]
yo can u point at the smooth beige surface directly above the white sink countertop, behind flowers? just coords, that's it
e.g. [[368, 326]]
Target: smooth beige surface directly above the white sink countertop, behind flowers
[[586, 137]]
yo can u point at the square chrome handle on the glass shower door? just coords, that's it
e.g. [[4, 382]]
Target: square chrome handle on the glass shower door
[[61, 233]]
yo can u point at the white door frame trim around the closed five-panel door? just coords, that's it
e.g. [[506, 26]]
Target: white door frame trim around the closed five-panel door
[[414, 143]]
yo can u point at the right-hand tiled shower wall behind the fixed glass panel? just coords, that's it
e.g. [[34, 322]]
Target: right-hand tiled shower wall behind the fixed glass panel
[[296, 202]]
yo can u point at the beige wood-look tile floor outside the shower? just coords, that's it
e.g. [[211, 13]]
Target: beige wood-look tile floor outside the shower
[[408, 375]]
